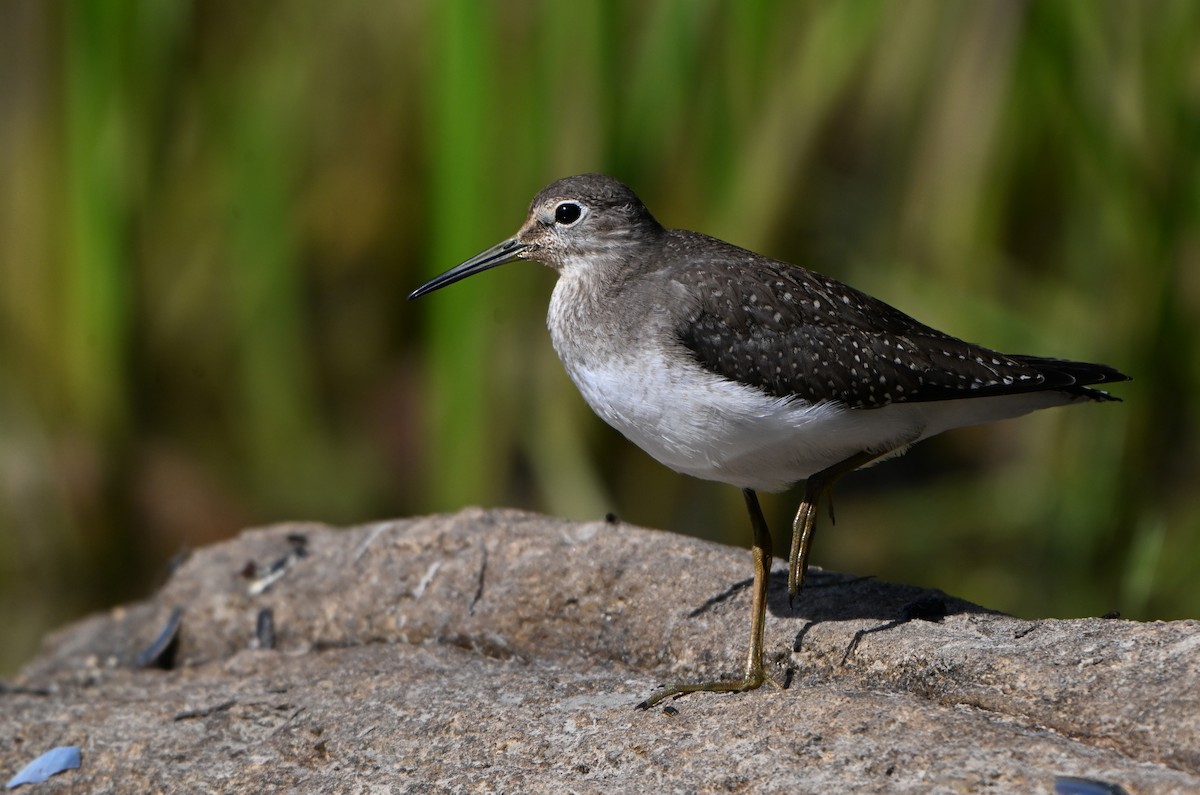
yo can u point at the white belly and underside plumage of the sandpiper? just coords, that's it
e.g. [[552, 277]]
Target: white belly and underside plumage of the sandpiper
[[718, 431]]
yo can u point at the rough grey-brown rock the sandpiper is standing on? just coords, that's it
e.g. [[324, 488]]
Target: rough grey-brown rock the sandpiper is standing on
[[503, 651]]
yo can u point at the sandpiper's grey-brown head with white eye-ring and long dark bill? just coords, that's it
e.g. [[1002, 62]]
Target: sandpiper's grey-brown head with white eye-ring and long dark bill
[[571, 222]]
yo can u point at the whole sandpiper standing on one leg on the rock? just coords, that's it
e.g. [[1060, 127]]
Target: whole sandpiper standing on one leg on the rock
[[731, 367]]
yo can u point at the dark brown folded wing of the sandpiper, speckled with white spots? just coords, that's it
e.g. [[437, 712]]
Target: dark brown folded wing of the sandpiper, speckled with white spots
[[795, 333]]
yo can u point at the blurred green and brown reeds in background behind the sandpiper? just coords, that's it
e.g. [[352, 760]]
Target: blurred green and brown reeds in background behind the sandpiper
[[211, 214]]
